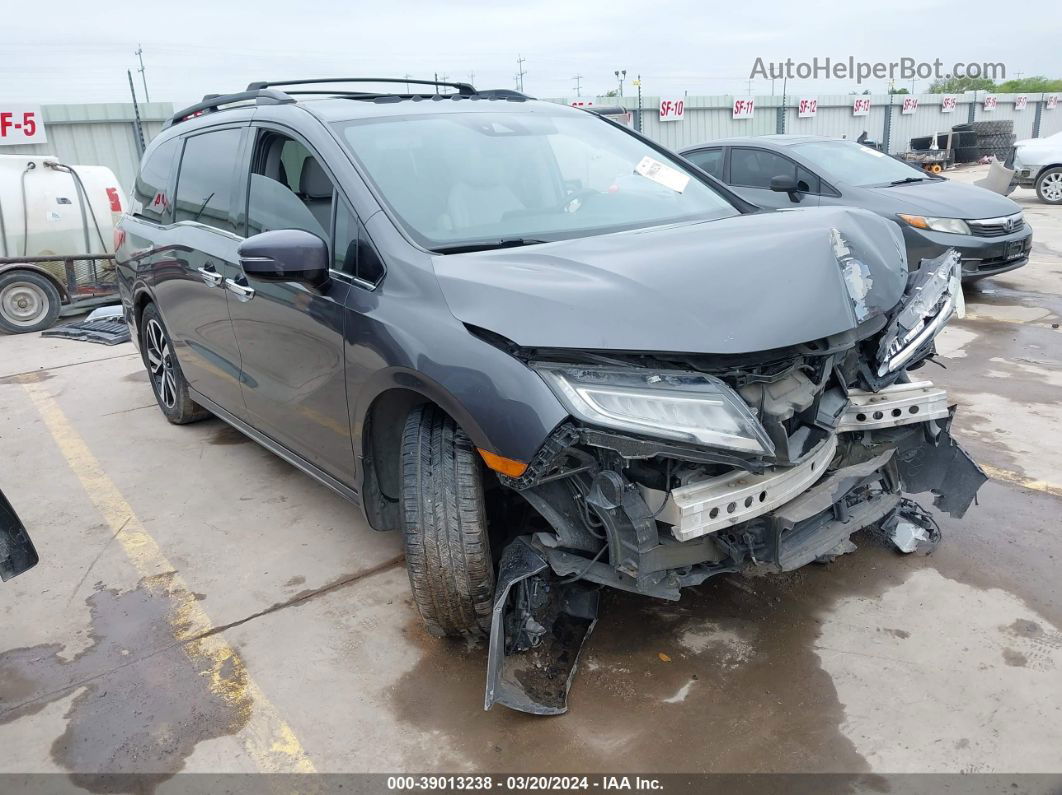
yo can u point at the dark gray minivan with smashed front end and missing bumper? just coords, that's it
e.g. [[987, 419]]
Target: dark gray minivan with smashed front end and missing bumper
[[550, 352]]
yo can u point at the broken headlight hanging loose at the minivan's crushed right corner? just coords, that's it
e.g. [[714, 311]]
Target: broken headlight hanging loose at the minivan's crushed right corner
[[934, 296]]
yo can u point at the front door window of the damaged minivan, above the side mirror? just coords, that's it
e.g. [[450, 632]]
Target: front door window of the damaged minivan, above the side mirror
[[289, 189]]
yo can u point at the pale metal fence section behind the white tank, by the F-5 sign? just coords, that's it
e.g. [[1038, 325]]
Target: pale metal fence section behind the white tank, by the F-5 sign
[[98, 135]]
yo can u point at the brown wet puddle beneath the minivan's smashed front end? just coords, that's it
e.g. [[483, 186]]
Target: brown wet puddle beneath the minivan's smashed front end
[[741, 678]]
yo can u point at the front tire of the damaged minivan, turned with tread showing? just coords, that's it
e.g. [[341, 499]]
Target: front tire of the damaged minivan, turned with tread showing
[[444, 520]]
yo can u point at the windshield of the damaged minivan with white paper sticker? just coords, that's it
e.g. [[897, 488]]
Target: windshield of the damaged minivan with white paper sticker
[[465, 179]]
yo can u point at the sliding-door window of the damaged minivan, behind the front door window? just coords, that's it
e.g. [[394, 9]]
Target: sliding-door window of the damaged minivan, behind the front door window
[[205, 184]]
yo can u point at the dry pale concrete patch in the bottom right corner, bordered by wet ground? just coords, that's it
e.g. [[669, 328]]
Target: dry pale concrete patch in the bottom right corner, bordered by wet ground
[[974, 660]]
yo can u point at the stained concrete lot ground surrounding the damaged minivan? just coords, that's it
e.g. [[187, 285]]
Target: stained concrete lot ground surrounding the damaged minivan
[[203, 607]]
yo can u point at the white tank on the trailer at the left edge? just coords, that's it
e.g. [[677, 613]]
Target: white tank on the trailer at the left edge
[[44, 211]]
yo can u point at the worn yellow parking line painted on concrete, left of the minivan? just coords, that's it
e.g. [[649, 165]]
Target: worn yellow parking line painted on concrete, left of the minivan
[[267, 737]]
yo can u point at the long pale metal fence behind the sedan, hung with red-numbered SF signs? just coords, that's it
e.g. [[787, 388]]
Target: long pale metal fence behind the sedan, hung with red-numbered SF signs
[[711, 118]]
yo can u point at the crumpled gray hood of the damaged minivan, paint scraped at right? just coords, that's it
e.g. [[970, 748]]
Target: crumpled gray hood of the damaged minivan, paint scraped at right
[[741, 285]]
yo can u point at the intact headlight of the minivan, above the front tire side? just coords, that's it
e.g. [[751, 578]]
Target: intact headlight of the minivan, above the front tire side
[[686, 407]]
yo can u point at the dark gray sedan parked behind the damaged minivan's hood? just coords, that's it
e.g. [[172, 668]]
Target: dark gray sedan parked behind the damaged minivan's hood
[[786, 171]]
